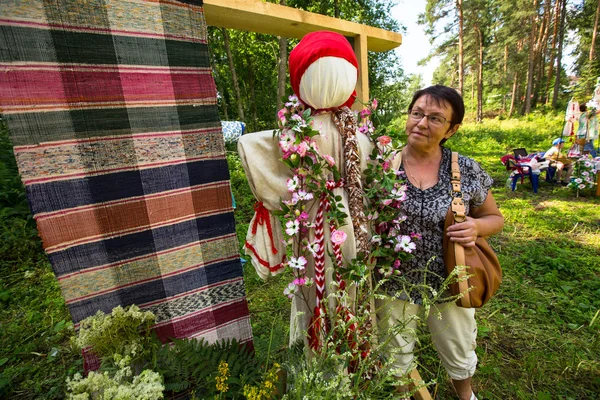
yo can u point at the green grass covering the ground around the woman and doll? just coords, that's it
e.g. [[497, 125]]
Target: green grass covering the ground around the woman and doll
[[535, 339]]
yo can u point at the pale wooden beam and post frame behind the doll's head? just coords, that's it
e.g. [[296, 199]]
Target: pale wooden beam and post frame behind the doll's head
[[274, 19]]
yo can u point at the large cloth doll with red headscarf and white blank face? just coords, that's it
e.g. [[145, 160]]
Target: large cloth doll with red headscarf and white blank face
[[323, 75]]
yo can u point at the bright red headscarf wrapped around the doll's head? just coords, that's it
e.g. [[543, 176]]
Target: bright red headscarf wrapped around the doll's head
[[314, 46]]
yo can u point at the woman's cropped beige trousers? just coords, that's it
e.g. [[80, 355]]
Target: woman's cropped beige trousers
[[453, 332]]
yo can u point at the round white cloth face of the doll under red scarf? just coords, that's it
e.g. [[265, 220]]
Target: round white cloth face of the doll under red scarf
[[328, 82]]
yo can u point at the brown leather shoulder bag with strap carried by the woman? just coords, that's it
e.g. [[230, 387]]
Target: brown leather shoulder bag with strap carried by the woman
[[483, 268]]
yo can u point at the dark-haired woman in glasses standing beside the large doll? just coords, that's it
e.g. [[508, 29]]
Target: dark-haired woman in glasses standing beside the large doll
[[435, 114]]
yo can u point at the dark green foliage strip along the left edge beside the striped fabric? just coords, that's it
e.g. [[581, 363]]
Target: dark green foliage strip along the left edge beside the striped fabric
[[35, 327]]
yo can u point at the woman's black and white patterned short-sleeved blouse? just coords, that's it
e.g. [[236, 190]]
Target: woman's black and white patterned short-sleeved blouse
[[426, 211]]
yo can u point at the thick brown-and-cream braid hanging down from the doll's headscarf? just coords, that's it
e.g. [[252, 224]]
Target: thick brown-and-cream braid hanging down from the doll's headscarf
[[345, 121]]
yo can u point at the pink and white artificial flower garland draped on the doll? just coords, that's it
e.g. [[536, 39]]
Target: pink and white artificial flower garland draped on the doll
[[316, 174]]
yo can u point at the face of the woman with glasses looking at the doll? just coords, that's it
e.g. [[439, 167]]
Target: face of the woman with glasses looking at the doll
[[425, 134]]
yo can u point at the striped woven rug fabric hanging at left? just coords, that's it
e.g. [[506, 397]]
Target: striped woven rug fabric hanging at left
[[111, 107]]
